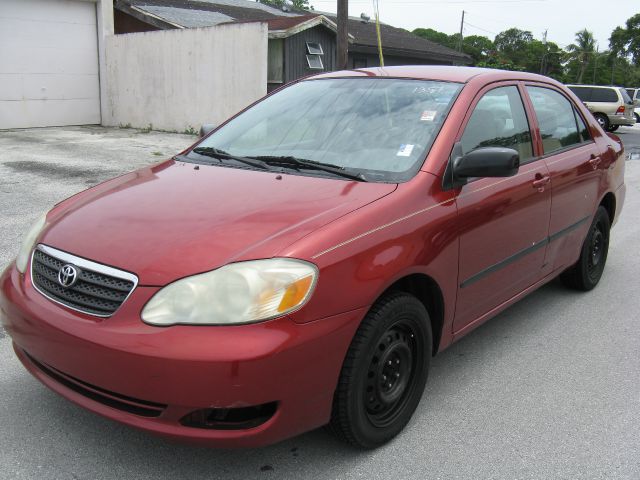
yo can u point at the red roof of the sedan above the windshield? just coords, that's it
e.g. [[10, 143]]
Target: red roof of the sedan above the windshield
[[437, 72]]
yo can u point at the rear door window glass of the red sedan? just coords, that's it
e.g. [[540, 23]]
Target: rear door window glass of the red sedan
[[556, 119]]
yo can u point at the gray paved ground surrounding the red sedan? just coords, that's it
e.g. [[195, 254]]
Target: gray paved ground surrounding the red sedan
[[547, 390]]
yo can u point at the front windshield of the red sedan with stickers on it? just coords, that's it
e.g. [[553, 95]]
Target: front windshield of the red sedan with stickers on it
[[379, 127]]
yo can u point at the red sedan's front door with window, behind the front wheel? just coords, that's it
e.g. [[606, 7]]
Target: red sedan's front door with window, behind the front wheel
[[504, 222]]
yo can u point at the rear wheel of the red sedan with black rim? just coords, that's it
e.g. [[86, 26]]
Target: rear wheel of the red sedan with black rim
[[587, 271]]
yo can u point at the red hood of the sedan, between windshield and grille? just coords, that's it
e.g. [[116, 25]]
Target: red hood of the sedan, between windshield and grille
[[178, 219]]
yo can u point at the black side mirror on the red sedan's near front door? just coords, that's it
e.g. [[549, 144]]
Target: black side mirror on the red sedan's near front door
[[486, 162]]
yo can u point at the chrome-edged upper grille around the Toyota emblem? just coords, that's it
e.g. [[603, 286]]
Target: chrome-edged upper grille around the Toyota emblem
[[98, 290]]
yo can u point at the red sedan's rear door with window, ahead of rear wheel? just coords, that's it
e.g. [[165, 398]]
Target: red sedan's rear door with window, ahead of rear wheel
[[575, 166]]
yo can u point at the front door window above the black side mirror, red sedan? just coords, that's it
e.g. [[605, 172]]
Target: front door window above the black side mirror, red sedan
[[499, 120]]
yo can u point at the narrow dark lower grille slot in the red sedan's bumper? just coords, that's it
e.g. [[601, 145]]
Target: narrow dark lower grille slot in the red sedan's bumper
[[125, 403]]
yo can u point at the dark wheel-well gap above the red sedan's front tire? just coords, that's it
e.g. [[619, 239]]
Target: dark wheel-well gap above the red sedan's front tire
[[427, 290]]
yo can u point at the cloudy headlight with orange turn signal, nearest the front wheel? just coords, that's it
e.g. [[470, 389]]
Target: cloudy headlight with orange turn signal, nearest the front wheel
[[240, 292]]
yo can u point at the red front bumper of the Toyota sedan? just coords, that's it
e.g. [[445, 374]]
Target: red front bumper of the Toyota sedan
[[180, 369]]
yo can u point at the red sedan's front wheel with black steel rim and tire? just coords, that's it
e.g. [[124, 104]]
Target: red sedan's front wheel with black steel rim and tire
[[393, 343]]
